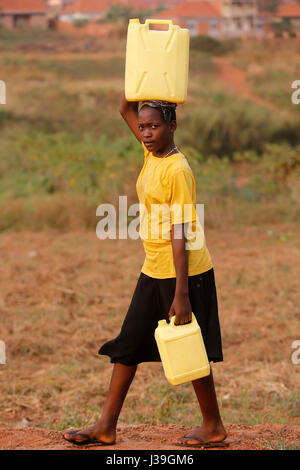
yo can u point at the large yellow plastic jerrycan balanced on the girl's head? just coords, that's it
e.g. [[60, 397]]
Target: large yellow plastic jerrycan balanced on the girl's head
[[156, 62]]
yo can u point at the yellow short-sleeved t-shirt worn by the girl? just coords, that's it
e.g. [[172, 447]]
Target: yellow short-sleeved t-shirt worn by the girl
[[167, 194]]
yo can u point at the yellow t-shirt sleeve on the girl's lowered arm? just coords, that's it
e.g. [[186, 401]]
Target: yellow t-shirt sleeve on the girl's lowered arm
[[182, 208]]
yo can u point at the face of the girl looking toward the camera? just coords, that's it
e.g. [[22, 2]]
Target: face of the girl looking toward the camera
[[156, 133]]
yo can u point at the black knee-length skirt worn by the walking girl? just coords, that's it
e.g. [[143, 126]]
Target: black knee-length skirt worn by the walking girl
[[150, 303]]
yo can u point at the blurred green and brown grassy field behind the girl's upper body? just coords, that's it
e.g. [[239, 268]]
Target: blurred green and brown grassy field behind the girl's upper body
[[63, 141]]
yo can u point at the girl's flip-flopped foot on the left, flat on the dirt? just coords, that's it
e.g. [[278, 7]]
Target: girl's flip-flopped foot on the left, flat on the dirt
[[91, 433]]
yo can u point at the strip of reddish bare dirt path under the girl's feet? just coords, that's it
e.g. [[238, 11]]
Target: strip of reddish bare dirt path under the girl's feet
[[144, 437]]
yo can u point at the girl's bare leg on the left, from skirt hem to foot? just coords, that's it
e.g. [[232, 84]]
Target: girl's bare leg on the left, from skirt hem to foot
[[105, 428]]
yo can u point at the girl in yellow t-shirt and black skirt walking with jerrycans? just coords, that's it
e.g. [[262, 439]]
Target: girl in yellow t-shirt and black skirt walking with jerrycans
[[173, 280]]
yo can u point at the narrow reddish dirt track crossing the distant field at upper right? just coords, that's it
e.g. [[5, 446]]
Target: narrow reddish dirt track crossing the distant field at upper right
[[237, 81]]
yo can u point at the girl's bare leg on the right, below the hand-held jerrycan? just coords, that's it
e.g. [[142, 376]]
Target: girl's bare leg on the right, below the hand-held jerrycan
[[212, 429]]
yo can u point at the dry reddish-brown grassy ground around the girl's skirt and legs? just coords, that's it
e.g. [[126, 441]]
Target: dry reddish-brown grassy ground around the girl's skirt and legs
[[57, 287]]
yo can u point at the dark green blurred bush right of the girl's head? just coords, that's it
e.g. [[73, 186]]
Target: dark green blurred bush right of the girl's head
[[225, 127]]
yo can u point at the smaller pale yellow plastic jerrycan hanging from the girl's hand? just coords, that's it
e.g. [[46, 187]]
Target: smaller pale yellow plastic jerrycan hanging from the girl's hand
[[182, 351]]
